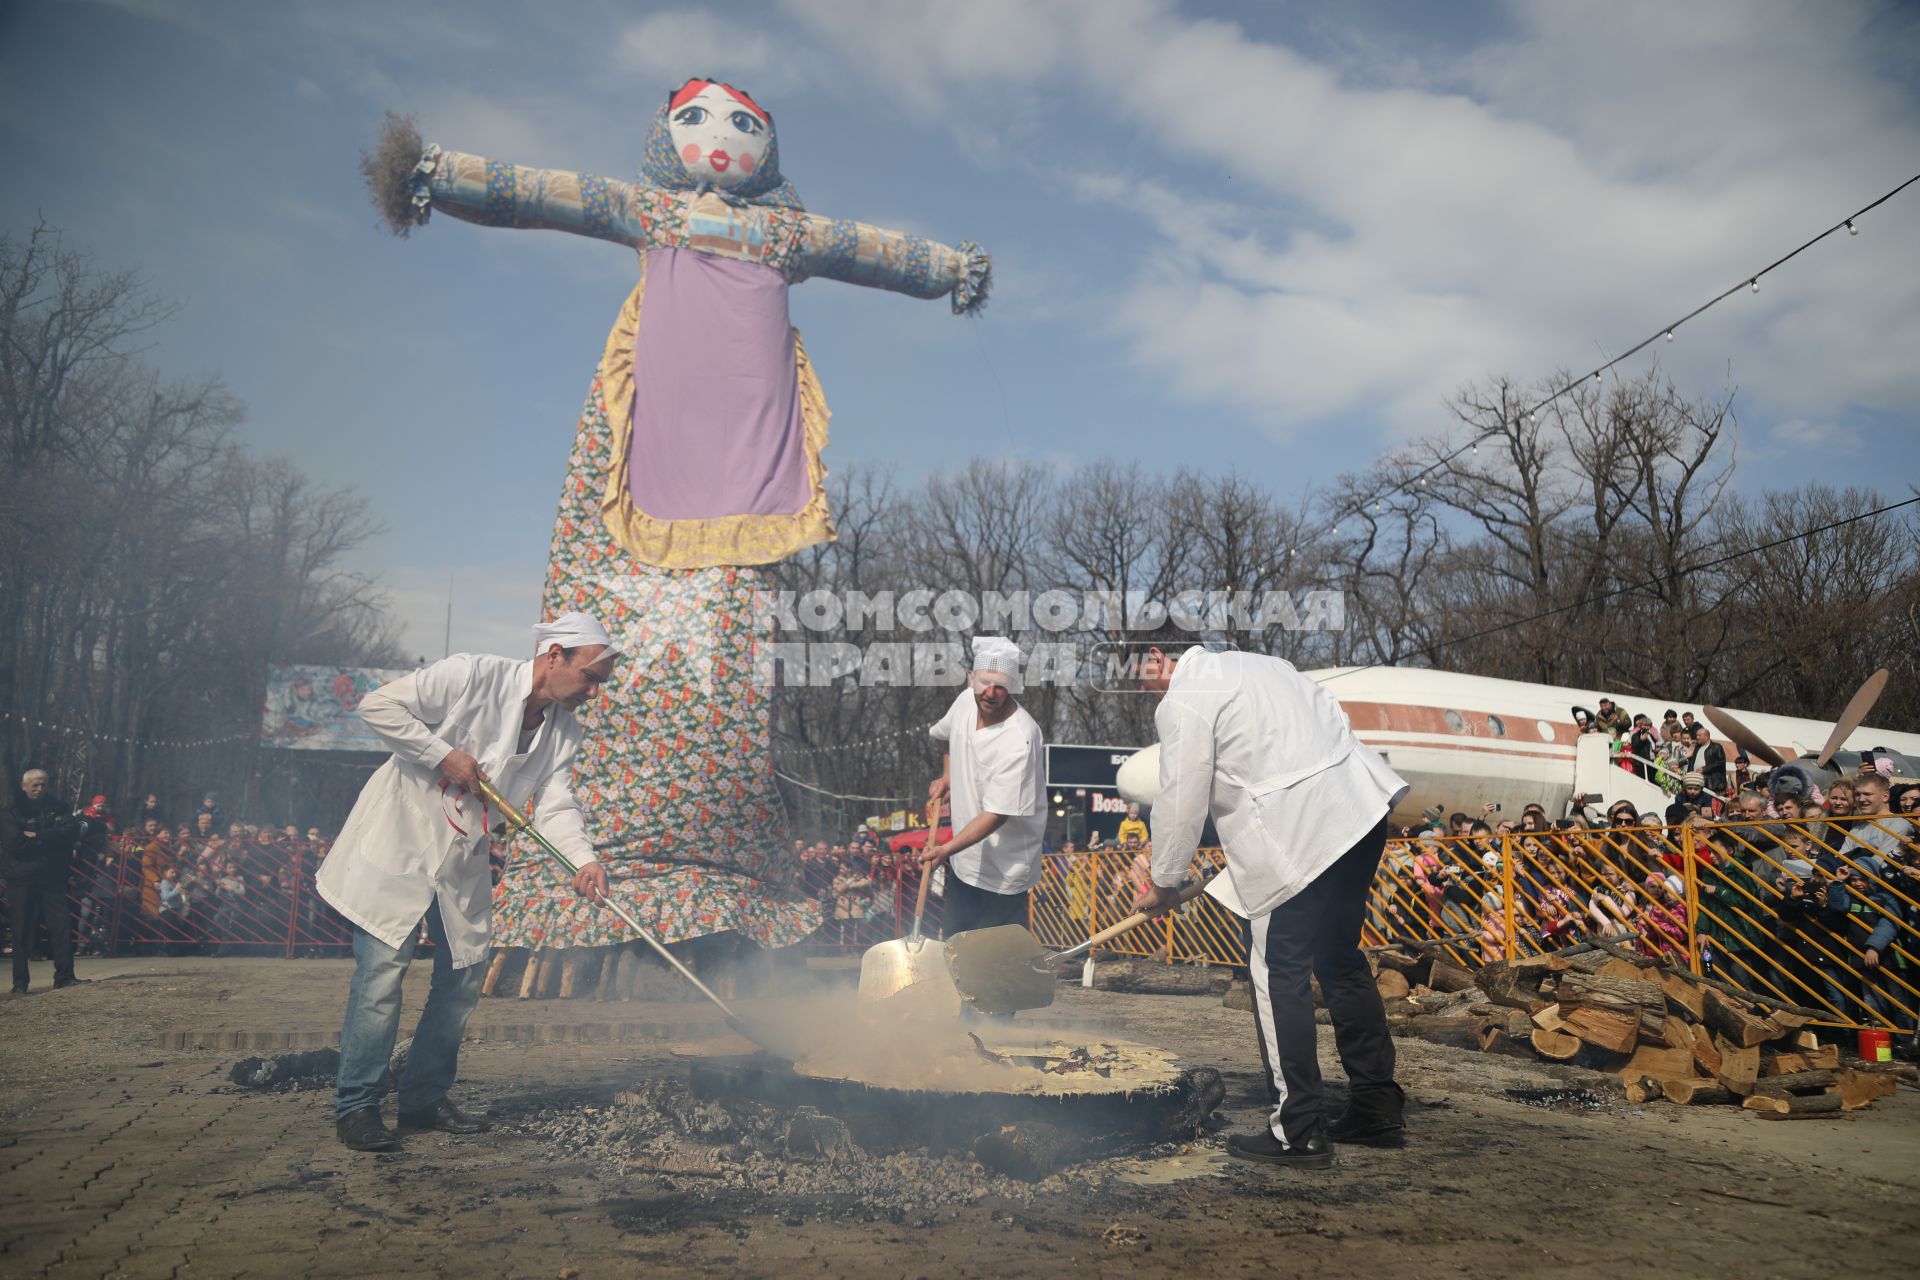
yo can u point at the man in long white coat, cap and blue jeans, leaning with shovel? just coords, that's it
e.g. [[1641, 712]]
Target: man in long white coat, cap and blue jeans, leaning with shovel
[[418, 847]]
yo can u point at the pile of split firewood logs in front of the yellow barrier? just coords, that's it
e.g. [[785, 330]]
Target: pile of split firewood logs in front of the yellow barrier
[[1664, 1031]]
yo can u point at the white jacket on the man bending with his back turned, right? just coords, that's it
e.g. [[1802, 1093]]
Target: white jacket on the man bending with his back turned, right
[[1274, 759]]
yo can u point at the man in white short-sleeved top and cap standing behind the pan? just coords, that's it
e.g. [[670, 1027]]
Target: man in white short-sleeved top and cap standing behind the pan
[[996, 776]]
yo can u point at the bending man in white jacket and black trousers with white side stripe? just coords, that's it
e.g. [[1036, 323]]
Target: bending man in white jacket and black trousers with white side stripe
[[1301, 807]]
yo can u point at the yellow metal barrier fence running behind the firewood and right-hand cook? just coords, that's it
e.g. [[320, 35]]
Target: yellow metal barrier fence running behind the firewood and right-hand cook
[[1812, 913]]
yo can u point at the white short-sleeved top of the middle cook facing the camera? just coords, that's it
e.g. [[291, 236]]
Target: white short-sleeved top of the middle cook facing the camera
[[997, 770]]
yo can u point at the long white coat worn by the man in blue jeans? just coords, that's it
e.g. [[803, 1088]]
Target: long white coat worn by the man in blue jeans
[[412, 838]]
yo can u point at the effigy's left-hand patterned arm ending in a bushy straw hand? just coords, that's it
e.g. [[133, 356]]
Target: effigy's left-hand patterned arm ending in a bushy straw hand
[[410, 179]]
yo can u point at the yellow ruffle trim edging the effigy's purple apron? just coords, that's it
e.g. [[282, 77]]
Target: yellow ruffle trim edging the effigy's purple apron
[[719, 540]]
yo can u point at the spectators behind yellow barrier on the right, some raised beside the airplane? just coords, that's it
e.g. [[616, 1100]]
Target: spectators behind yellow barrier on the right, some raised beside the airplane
[[1802, 891]]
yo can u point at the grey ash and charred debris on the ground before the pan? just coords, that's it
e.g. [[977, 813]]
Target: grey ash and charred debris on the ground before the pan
[[661, 1137]]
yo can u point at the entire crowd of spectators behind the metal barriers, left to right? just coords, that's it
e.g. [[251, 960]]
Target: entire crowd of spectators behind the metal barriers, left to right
[[1804, 891]]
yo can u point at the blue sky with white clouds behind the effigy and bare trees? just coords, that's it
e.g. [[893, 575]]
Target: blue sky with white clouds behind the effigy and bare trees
[[1241, 235]]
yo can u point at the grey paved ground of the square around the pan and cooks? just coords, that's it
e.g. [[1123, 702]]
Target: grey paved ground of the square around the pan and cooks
[[124, 1152]]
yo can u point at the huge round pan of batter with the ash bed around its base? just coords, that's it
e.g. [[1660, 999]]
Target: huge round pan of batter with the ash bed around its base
[[890, 1120]]
